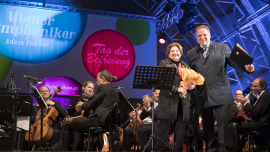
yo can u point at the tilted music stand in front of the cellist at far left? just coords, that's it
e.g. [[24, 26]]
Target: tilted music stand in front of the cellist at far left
[[42, 105]]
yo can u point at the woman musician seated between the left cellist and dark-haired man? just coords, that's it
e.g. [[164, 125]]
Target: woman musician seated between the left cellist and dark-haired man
[[87, 95]]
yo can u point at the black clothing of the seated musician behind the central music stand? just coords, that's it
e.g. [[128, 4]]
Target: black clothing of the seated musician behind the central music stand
[[144, 132]]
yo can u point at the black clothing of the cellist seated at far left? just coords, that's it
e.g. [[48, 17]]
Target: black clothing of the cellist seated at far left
[[56, 124]]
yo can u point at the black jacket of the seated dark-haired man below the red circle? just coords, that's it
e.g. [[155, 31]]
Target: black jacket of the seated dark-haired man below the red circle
[[102, 103]]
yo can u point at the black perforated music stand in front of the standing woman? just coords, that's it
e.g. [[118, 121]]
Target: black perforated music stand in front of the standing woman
[[153, 77]]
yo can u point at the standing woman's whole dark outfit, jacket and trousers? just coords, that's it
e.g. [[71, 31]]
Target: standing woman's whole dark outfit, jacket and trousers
[[172, 107]]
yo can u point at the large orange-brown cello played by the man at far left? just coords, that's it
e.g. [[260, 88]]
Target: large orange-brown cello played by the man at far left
[[48, 119]]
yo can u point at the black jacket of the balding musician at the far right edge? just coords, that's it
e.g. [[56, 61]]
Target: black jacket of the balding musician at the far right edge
[[260, 112]]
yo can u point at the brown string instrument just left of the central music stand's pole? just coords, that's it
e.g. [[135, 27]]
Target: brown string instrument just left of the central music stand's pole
[[136, 123]]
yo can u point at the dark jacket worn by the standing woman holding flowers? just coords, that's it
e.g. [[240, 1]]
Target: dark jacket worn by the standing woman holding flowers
[[169, 99]]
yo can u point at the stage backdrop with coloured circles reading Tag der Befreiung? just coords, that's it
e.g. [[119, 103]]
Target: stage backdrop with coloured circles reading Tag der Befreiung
[[66, 49]]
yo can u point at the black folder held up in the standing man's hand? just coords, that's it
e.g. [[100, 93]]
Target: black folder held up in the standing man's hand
[[241, 57]]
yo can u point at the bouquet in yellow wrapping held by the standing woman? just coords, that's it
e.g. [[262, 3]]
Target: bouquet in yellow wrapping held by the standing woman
[[190, 76]]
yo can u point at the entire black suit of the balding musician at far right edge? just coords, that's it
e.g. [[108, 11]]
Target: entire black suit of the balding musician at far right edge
[[259, 114]]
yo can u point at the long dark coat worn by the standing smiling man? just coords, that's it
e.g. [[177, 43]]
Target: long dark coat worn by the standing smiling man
[[216, 89]]
